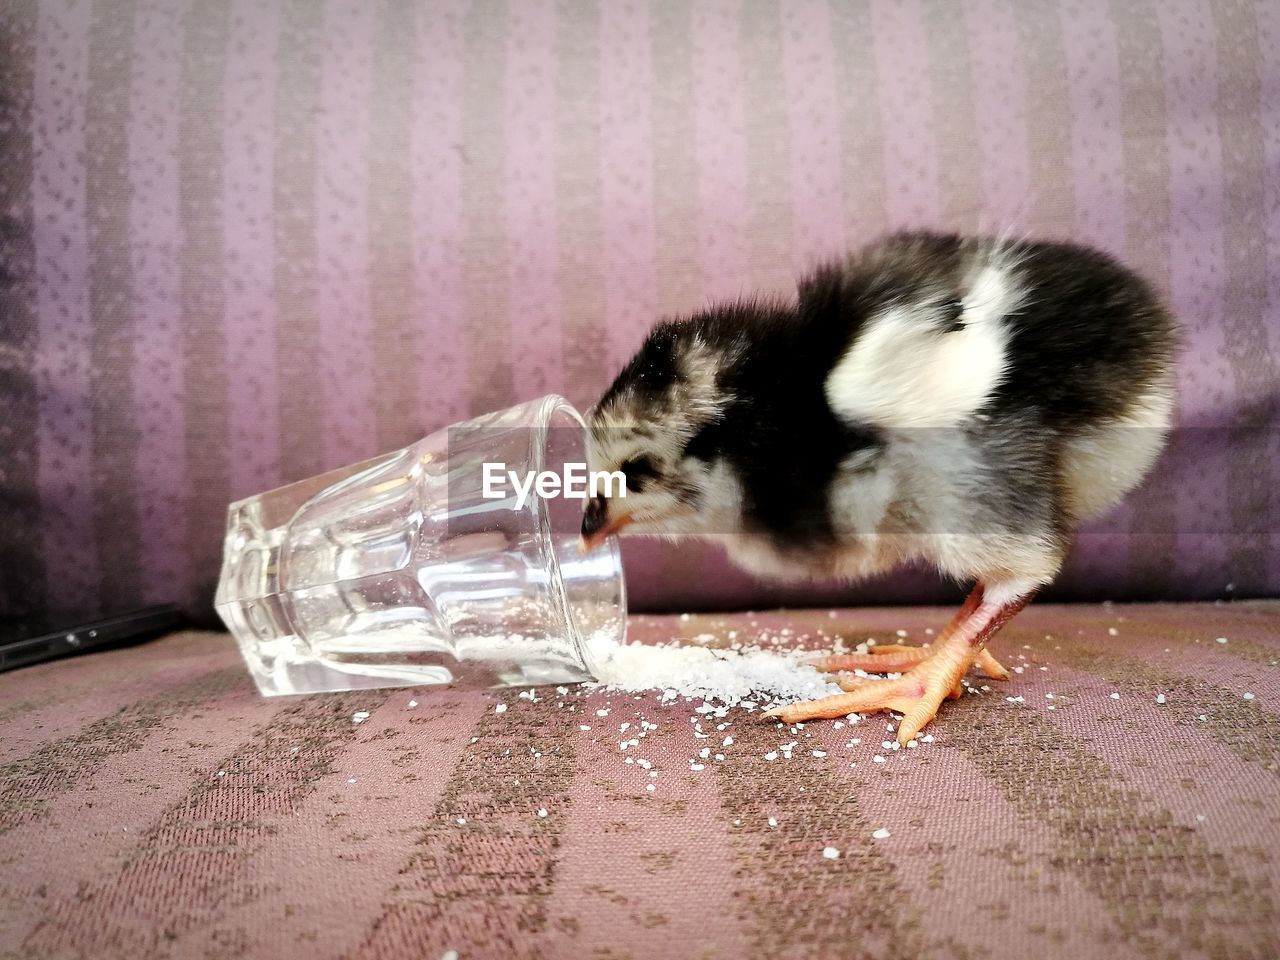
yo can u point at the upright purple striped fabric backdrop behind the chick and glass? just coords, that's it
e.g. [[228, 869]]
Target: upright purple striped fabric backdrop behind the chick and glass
[[248, 241]]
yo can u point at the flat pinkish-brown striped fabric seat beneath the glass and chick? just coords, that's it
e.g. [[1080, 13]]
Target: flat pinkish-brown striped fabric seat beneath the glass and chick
[[152, 804]]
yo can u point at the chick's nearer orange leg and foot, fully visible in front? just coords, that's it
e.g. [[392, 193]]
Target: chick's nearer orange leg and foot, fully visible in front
[[918, 693]]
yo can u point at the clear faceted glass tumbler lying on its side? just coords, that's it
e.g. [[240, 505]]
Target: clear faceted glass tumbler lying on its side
[[403, 572]]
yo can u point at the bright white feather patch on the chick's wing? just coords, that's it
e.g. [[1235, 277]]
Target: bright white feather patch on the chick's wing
[[903, 371]]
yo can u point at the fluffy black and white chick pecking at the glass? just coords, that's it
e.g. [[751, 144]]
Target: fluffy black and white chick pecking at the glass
[[968, 403]]
